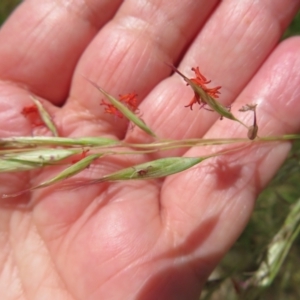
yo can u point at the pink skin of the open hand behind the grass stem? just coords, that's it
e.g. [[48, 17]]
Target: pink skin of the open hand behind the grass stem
[[143, 239]]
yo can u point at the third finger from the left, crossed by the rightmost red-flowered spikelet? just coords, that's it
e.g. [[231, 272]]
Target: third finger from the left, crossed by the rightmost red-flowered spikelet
[[229, 50]]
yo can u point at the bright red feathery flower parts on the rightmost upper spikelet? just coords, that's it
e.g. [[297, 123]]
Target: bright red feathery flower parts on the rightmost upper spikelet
[[201, 81]]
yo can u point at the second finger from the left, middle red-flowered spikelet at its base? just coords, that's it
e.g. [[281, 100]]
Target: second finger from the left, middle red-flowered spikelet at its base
[[127, 54]]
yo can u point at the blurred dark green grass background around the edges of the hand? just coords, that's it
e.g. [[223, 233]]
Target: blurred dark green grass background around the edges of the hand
[[272, 208]]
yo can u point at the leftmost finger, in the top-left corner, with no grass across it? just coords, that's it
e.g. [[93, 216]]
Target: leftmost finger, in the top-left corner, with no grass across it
[[42, 41]]
